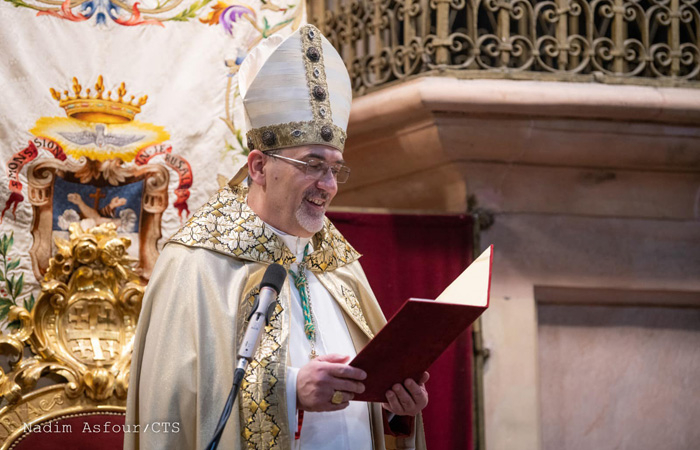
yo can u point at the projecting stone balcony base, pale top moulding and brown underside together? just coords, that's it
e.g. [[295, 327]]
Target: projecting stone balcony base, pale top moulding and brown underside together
[[519, 147]]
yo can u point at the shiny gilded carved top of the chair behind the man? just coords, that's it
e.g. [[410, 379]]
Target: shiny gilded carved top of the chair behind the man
[[80, 330]]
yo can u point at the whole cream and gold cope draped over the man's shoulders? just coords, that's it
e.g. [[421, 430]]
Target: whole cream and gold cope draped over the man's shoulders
[[194, 312]]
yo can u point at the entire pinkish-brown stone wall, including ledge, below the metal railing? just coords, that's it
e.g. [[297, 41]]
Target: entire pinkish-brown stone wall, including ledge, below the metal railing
[[595, 192]]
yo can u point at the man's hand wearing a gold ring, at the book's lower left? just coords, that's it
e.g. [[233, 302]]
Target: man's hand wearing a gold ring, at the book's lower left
[[321, 377]]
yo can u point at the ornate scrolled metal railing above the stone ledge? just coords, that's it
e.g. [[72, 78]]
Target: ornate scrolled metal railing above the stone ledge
[[654, 42]]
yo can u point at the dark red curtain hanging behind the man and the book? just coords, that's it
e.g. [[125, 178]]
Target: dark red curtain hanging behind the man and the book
[[418, 256]]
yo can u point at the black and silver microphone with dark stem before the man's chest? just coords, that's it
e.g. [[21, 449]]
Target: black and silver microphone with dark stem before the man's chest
[[264, 305]]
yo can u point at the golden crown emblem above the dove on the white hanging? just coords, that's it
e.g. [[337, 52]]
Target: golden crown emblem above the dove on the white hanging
[[99, 108]]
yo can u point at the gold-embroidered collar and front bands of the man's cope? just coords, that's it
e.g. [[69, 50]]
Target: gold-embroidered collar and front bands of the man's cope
[[227, 225]]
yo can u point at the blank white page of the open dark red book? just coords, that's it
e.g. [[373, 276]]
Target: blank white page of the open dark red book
[[473, 285]]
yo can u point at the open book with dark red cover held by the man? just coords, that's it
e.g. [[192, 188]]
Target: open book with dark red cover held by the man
[[422, 329]]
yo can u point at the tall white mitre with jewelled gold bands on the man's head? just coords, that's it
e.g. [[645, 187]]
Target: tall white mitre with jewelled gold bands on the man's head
[[296, 91]]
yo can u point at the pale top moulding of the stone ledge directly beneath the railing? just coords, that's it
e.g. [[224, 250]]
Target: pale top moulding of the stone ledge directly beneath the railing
[[418, 98]]
